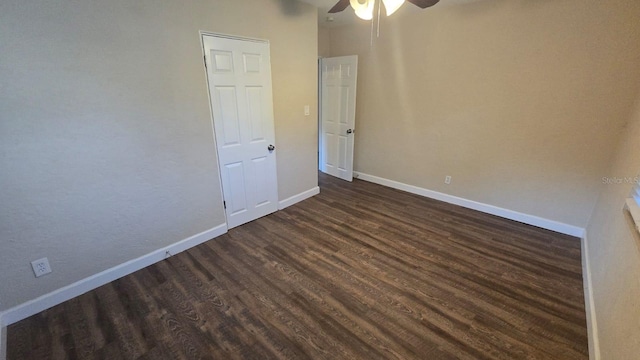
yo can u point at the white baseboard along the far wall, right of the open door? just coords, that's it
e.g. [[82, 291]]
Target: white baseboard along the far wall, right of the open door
[[470, 204]]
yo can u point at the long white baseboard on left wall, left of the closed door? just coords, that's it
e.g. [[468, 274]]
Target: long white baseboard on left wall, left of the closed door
[[80, 287]]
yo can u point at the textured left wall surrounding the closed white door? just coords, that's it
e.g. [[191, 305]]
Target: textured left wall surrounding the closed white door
[[106, 145]]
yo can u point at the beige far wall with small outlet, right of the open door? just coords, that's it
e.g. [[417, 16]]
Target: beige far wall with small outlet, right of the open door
[[521, 102]]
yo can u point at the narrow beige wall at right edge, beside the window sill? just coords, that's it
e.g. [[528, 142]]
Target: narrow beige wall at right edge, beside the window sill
[[614, 255]]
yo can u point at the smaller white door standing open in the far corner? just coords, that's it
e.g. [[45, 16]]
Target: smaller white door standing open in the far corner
[[338, 115]]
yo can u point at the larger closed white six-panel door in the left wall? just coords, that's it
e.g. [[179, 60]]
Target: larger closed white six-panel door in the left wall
[[239, 76]]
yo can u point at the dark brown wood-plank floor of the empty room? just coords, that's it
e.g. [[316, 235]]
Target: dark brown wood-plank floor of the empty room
[[358, 272]]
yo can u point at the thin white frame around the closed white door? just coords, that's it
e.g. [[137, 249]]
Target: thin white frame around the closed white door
[[202, 34]]
